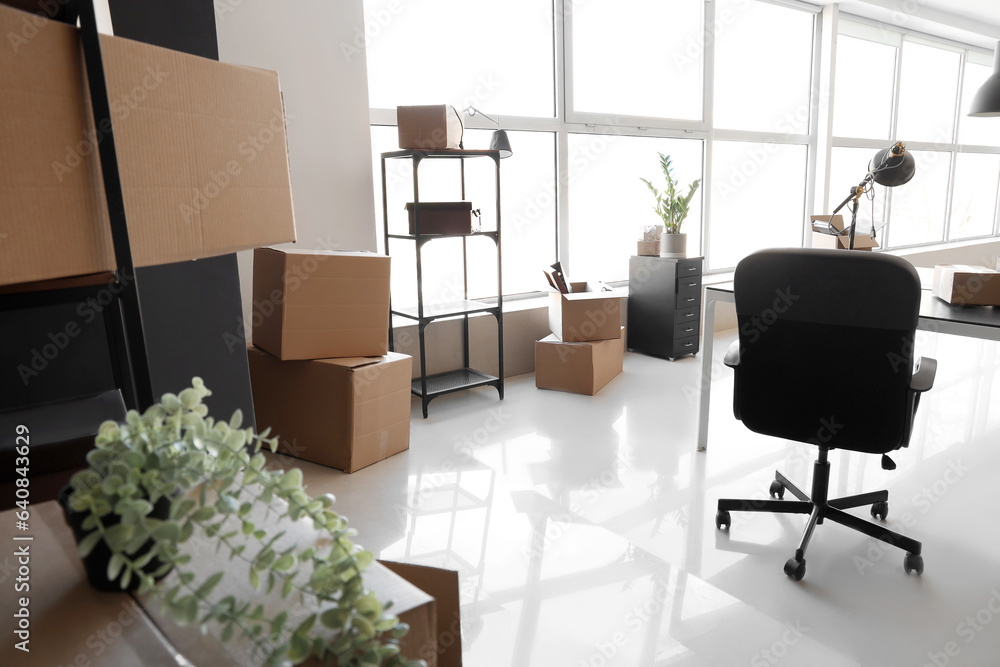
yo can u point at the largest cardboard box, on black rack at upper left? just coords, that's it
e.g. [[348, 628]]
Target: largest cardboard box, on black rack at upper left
[[201, 151]]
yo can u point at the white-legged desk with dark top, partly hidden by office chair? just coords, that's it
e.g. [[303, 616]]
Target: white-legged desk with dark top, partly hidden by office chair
[[935, 315]]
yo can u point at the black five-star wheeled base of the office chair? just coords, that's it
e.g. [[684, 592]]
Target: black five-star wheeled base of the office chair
[[819, 509]]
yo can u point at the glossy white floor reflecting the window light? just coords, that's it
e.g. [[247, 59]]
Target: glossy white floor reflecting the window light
[[583, 527]]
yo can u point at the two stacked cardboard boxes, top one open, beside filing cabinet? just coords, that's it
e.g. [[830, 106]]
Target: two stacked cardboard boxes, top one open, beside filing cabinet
[[586, 347]]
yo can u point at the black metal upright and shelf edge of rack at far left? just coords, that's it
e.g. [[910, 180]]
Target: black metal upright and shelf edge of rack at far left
[[123, 317]]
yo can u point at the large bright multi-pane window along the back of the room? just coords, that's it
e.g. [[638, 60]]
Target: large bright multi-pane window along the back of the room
[[591, 91]]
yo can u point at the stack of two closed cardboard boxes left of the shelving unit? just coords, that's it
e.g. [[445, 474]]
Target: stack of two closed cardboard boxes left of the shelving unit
[[322, 376]]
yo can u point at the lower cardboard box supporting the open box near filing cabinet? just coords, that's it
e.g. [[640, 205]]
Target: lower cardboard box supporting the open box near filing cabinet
[[579, 368]]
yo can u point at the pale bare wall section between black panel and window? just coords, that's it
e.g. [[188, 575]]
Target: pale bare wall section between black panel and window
[[326, 106]]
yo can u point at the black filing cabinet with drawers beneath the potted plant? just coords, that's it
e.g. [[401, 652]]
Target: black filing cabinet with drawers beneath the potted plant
[[664, 305]]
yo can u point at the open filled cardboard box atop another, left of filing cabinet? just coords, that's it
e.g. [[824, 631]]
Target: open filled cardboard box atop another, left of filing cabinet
[[586, 313]]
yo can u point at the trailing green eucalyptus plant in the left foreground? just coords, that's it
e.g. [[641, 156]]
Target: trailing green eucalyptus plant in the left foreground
[[214, 477]]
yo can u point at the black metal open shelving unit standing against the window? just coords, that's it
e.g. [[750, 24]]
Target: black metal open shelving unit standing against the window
[[430, 387]]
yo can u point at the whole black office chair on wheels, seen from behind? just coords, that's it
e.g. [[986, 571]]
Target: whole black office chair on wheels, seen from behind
[[825, 356]]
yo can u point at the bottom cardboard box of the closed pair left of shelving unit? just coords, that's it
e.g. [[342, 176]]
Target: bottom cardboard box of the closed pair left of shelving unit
[[343, 413]]
